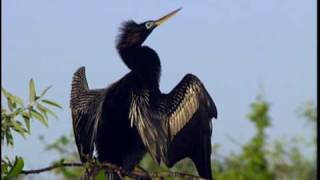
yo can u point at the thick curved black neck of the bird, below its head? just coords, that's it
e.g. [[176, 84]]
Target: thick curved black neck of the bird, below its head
[[144, 62]]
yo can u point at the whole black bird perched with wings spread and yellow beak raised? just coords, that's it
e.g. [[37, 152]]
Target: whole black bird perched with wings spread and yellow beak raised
[[133, 116]]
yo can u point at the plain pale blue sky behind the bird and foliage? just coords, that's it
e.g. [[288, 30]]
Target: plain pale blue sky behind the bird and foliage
[[235, 47]]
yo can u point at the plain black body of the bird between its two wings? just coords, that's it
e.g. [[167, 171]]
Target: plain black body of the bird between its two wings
[[115, 137]]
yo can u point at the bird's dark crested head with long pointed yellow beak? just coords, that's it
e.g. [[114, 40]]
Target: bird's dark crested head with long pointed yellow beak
[[134, 34]]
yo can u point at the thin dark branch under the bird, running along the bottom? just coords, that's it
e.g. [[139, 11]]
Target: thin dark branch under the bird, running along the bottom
[[113, 168]]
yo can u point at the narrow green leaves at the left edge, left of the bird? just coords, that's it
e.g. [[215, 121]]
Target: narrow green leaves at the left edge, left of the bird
[[16, 118]]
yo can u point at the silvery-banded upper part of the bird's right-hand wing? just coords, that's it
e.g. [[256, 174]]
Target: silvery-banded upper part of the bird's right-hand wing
[[188, 98]]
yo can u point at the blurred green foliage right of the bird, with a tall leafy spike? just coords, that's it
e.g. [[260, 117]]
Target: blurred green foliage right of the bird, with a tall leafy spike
[[258, 159]]
